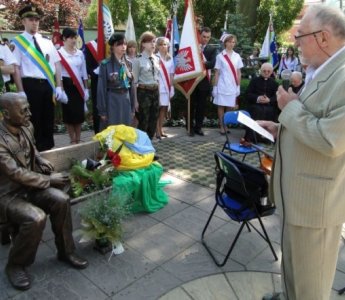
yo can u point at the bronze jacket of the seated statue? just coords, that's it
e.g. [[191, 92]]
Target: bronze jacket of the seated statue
[[16, 177]]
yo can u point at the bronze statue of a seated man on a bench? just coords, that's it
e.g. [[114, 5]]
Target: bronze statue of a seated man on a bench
[[29, 191]]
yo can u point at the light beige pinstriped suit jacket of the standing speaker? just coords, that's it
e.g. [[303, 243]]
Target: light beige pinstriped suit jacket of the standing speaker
[[309, 170]]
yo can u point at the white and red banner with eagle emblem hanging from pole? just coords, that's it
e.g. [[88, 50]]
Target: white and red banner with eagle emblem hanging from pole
[[189, 66]]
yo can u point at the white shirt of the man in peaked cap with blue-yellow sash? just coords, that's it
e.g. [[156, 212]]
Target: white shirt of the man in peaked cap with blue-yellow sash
[[27, 67]]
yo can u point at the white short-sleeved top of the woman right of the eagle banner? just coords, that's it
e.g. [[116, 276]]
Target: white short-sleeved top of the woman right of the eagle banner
[[226, 82]]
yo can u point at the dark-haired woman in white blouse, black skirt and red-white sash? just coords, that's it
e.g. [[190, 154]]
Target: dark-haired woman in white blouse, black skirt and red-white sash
[[74, 77]]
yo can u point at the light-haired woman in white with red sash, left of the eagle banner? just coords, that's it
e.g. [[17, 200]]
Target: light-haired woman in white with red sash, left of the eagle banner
[[166, 89]]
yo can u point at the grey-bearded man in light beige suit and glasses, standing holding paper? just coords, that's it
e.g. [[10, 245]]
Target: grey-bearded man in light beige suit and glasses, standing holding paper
[[308, 182]]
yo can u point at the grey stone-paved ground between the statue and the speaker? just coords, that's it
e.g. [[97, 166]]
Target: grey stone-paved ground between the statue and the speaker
[[164, 258]]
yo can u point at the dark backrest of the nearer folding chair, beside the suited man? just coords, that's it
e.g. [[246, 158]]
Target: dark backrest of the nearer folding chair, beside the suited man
[[243, 181]]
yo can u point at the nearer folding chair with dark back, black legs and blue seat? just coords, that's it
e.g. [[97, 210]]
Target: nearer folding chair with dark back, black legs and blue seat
[[240, 192]]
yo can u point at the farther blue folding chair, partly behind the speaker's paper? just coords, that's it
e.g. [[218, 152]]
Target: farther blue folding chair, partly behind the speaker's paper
[[230, 118]]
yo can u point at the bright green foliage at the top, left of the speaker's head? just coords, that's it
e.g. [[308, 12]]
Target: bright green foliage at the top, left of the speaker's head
[[283, 14]]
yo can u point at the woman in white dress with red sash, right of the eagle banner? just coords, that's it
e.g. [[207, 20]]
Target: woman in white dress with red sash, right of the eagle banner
[[227, 79]]
